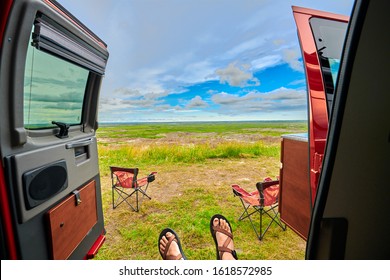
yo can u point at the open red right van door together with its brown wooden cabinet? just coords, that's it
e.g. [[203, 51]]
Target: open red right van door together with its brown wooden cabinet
[[321, 35]]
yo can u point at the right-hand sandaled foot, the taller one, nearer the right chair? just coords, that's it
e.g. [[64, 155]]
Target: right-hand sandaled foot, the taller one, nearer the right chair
[[224, 238]]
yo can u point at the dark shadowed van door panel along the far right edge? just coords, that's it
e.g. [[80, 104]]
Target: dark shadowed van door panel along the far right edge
[[351, 217]]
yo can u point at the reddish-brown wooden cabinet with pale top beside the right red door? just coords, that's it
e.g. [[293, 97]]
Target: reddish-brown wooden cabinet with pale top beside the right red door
[[294, 204]]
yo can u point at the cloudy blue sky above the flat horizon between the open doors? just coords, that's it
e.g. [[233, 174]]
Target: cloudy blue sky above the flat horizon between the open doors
[[200, 60]]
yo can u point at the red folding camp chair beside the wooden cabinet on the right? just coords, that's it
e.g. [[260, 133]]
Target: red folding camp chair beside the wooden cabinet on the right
[[262, 201]]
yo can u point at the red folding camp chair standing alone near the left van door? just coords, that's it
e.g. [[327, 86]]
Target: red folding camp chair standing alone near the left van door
[[125, 184]]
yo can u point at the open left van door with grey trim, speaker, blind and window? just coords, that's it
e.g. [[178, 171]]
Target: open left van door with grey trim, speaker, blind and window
[[51, 70]]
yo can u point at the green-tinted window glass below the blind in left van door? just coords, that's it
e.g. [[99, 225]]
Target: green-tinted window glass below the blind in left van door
[[53, 90]]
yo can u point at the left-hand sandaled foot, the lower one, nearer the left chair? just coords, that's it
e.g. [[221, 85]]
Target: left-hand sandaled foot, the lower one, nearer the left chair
[[169, 246]]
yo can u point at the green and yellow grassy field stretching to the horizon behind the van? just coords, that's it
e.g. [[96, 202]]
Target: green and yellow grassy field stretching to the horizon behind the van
[[196, 163]]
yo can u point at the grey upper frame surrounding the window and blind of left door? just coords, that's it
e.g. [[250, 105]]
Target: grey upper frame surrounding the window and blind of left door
[[12, 133]]
